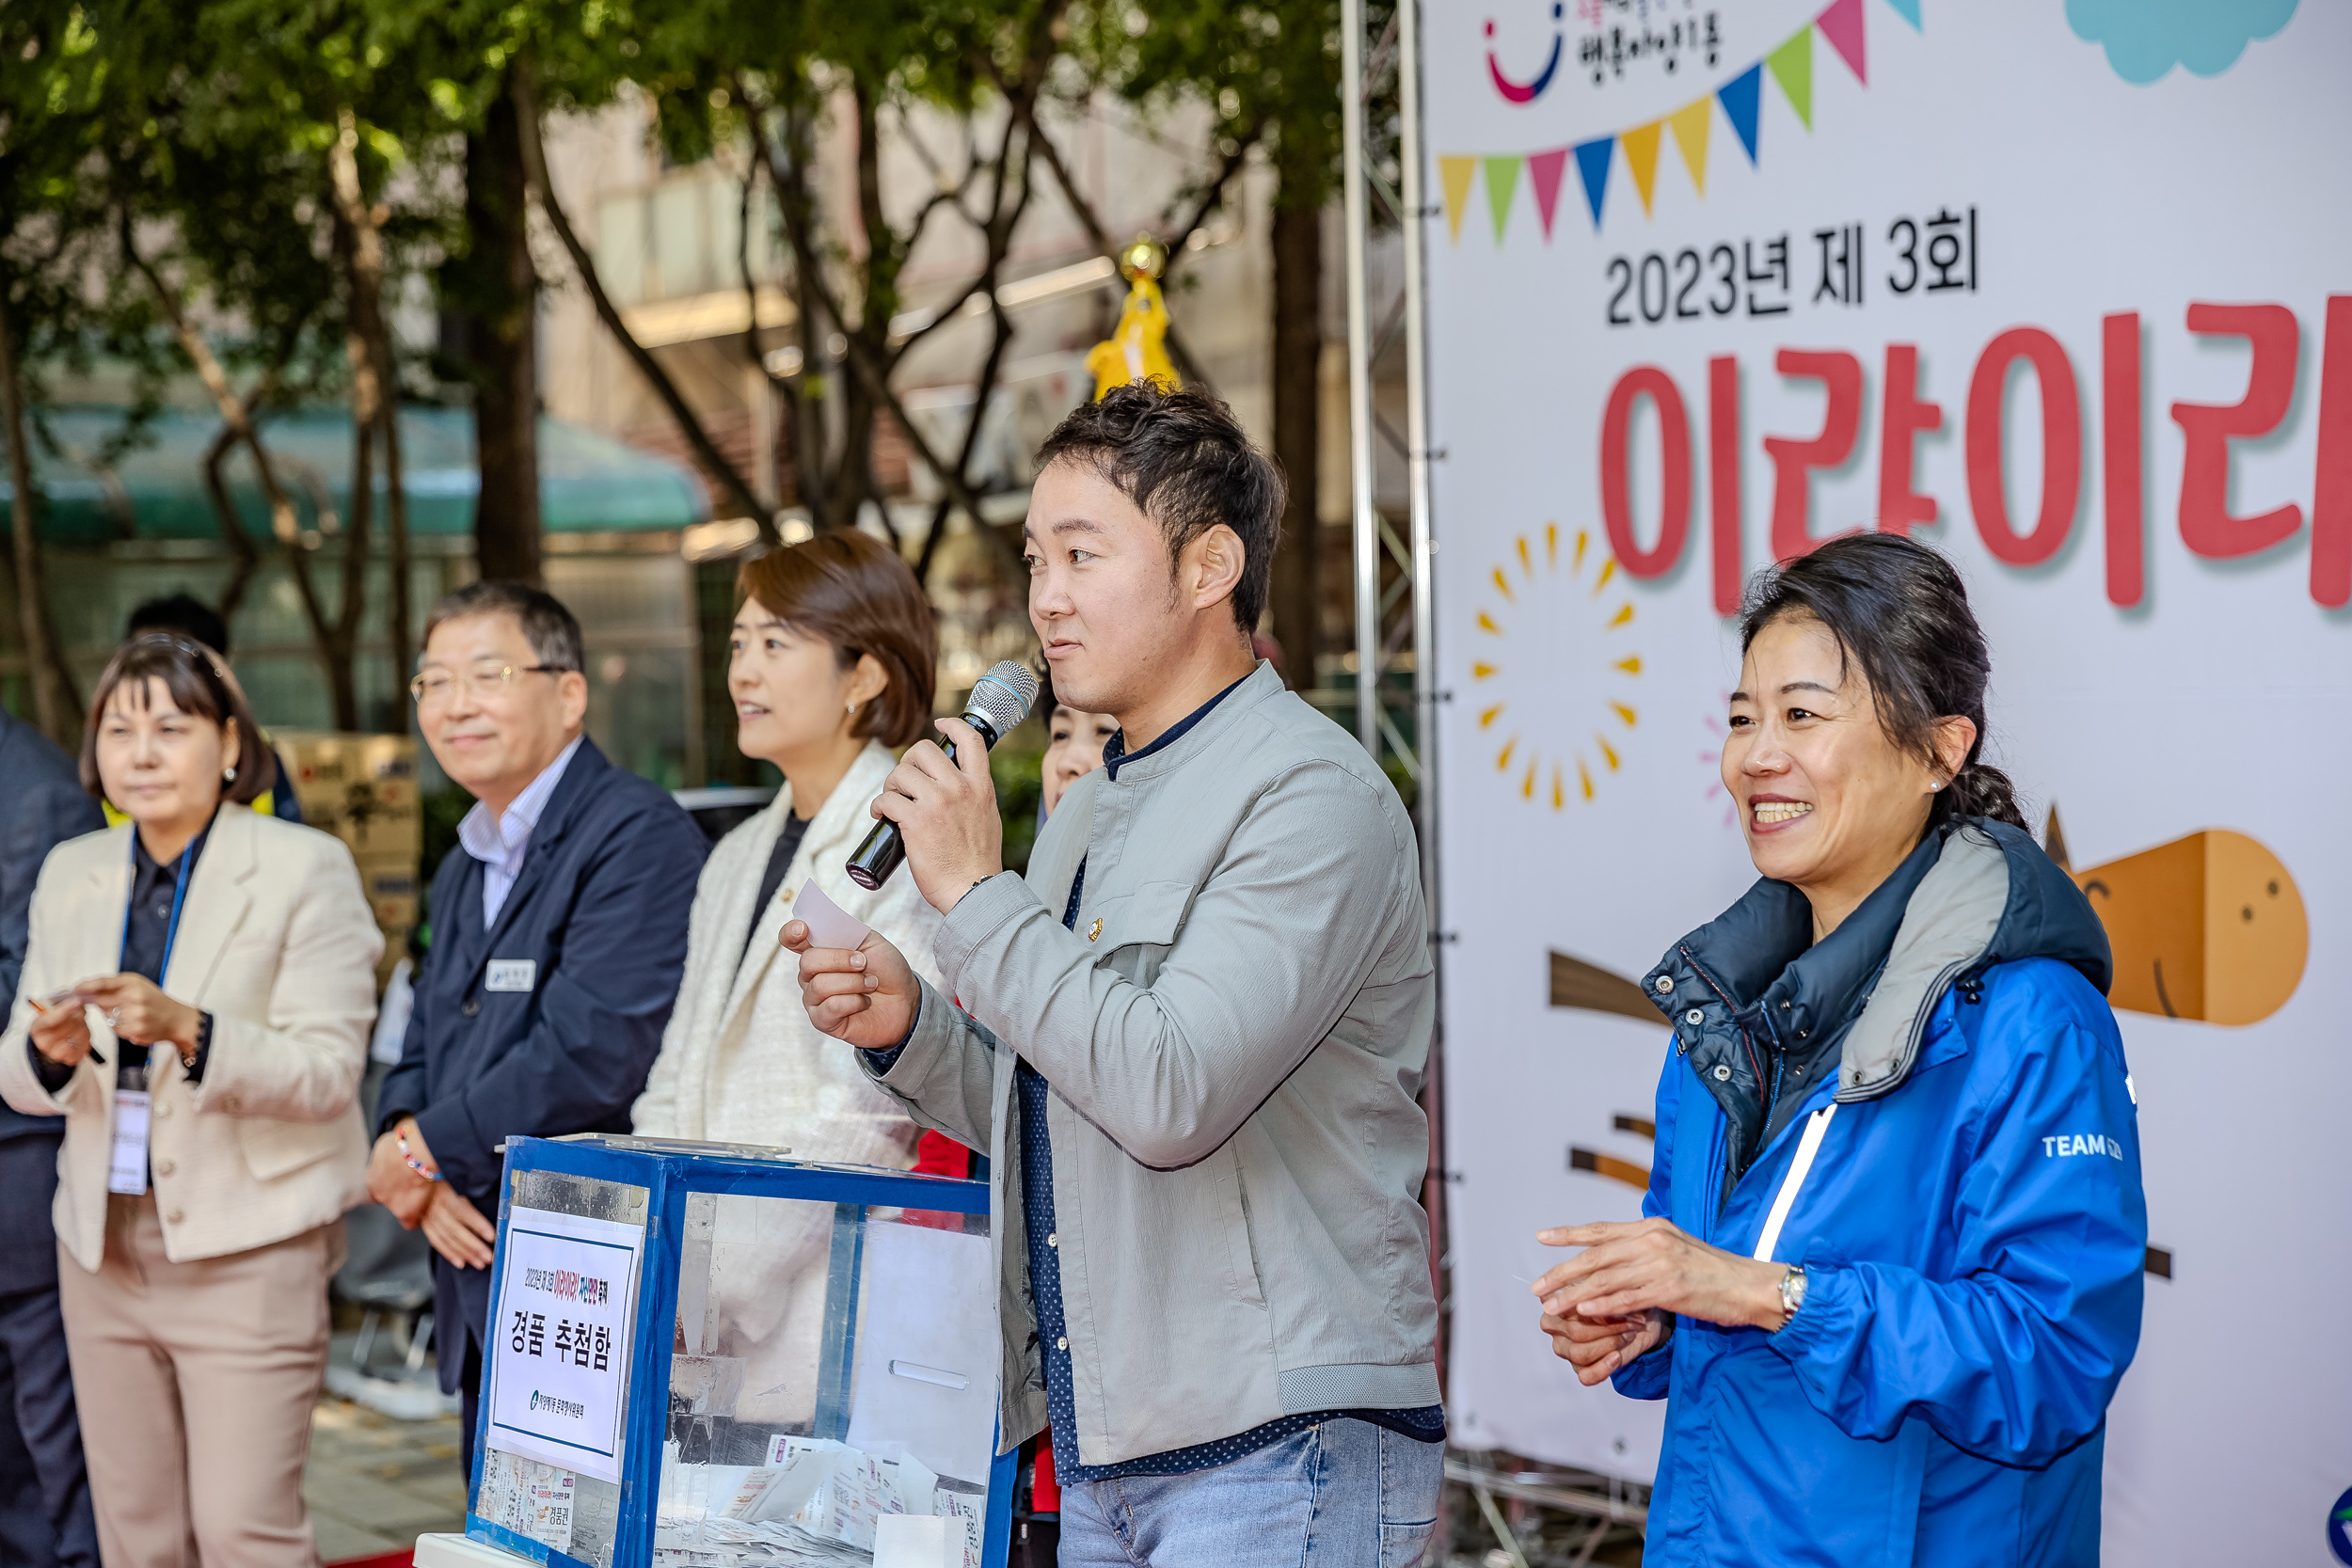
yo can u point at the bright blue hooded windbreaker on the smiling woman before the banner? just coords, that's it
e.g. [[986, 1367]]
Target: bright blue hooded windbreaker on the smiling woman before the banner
[[1939, 1111]]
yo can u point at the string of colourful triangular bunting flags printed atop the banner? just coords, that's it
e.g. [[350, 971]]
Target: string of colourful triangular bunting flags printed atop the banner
[[1742, 98]]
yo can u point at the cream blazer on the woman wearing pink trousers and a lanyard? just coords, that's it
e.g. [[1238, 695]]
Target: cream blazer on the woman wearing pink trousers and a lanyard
[[279, 944]]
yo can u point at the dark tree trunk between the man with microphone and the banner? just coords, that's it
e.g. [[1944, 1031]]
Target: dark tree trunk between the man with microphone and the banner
[[1297, 594]]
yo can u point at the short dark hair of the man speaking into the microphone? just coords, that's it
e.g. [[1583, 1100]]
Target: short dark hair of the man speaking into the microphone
[[1189, 467]]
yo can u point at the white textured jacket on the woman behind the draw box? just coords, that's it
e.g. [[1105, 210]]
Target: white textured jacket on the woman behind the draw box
[[740, 1059]]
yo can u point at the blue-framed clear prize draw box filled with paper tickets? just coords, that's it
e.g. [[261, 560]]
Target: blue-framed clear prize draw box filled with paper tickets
[[709, 1358]]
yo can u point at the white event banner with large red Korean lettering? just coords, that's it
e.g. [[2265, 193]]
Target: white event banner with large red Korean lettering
[[1723, 276]]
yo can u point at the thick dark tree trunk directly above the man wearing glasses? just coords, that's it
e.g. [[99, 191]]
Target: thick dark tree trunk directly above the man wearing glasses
[[502, 344]]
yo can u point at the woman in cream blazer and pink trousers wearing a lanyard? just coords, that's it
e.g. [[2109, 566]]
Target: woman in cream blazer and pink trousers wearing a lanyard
[[196, 1311]]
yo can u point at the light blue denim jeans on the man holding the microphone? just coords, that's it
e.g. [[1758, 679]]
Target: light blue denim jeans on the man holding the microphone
[[1337, 1496]]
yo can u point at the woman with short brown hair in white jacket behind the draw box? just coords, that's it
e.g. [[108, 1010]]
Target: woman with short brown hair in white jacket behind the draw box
[[831, 664]]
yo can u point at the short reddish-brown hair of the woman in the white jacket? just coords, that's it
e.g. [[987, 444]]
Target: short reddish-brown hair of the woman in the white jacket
[[855, 594]]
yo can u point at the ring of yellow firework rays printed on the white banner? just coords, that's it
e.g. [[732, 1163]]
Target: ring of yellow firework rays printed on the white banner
[[1551, 671]]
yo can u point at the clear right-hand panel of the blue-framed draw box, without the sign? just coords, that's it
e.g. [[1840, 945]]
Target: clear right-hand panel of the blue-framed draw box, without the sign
[[834, 1367]]
